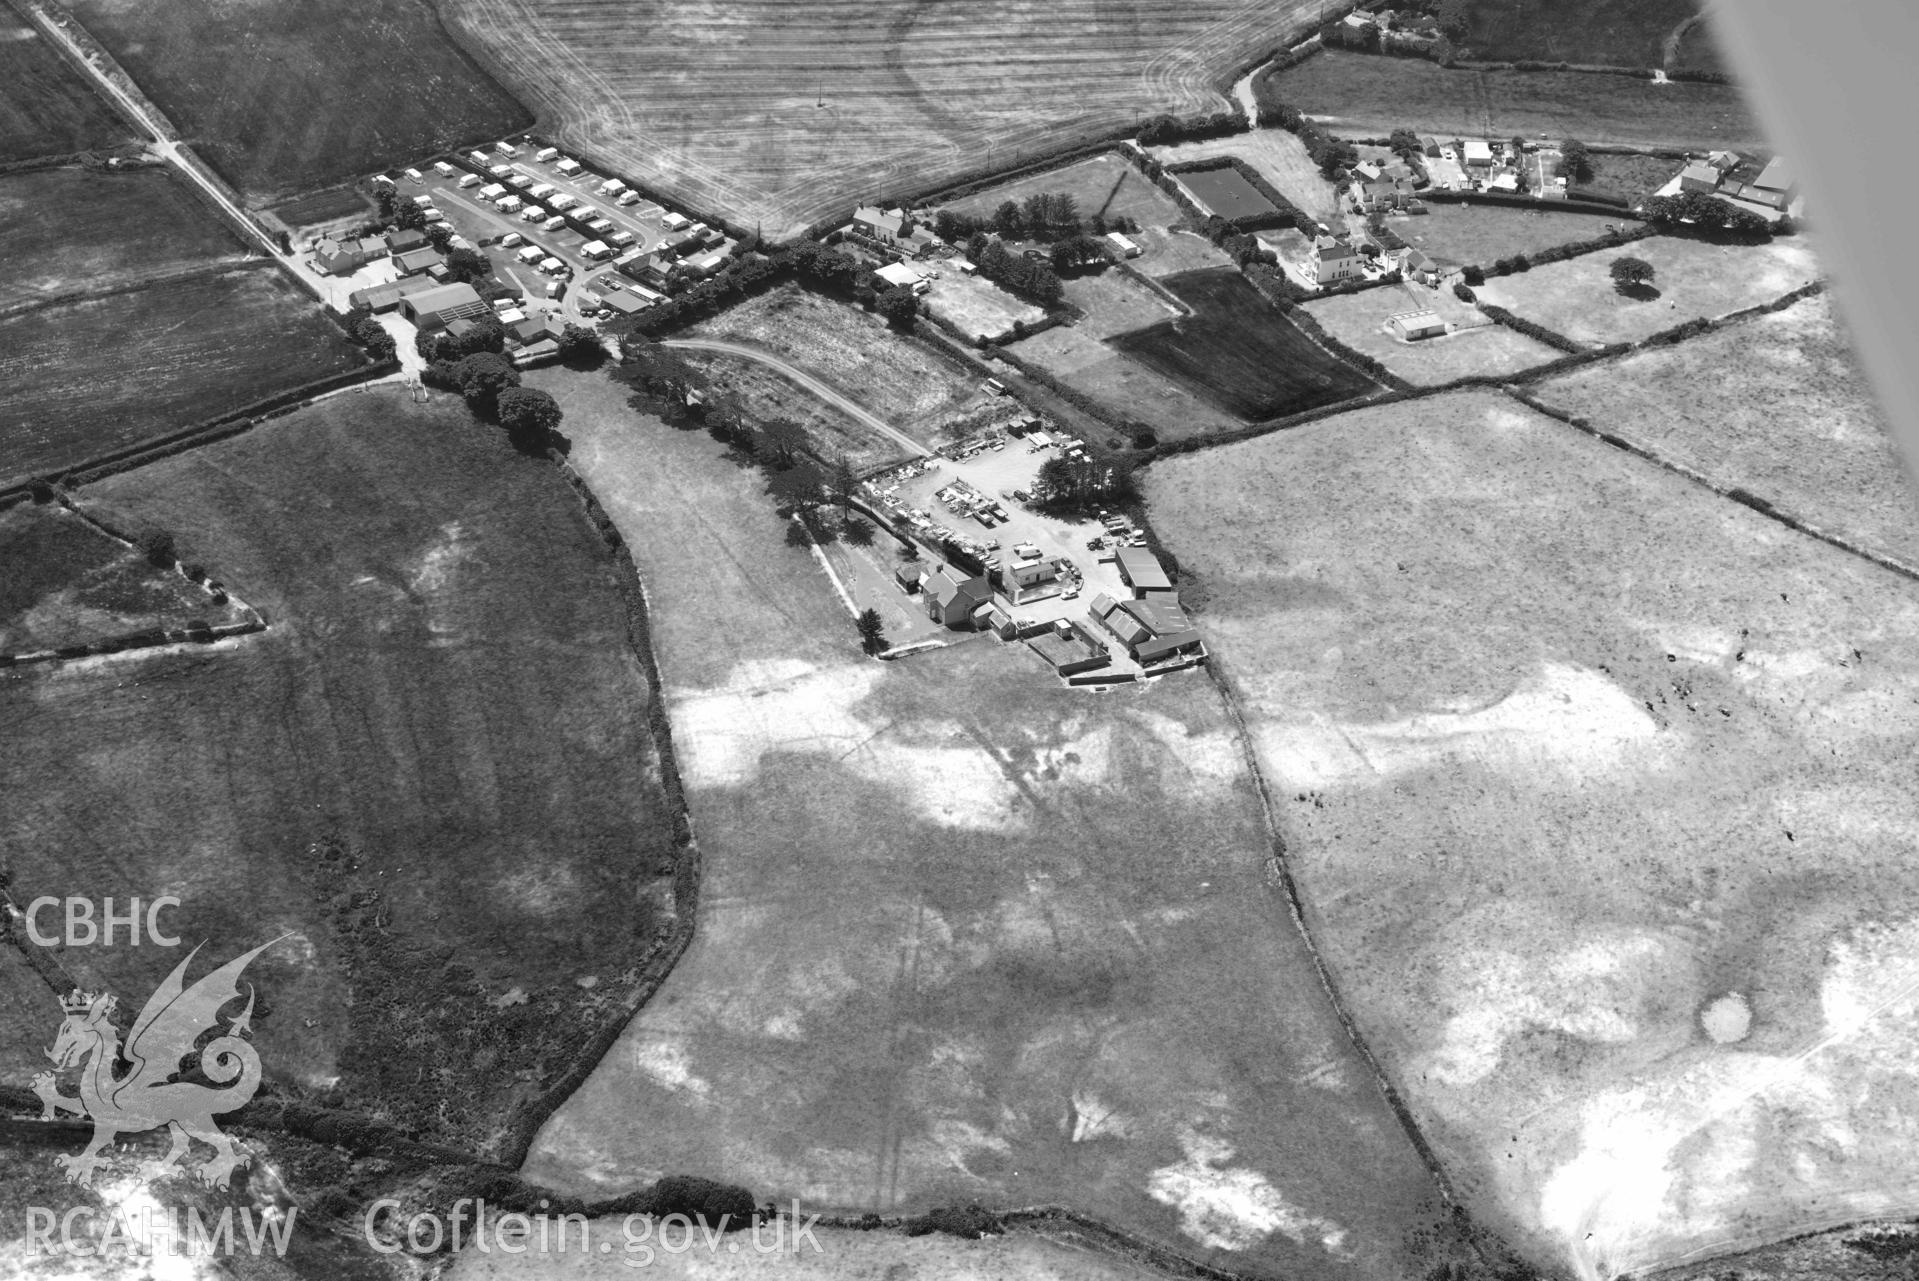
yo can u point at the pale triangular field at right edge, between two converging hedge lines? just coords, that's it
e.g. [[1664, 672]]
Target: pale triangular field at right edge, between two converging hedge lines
[[1776, 406]]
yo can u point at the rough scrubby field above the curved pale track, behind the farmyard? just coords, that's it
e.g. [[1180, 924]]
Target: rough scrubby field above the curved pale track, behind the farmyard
[[851, 350]]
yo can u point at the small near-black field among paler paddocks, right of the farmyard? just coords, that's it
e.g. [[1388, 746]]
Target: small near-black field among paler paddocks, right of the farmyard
[[1241, 354]]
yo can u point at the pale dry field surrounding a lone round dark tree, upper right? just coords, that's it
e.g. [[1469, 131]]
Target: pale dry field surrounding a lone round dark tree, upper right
[[1692, 279]]
